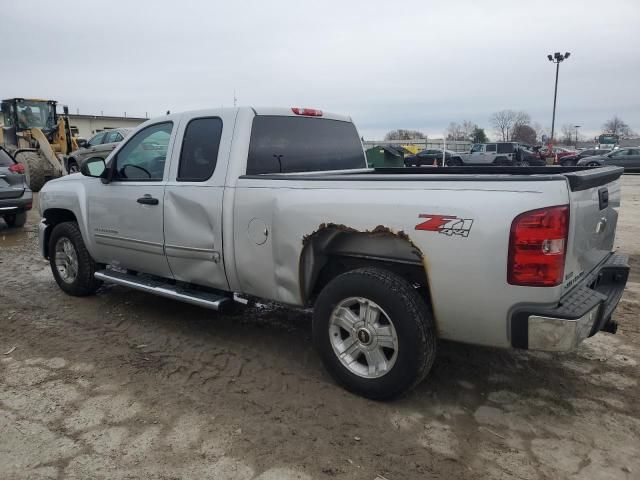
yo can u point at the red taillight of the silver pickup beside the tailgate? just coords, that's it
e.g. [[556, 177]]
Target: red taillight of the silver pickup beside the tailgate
[[537, 247]]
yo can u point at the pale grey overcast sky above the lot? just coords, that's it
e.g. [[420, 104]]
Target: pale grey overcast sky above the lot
[[402, 64]]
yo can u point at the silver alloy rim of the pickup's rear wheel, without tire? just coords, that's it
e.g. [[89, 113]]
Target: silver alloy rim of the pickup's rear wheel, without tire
[[363, 337]]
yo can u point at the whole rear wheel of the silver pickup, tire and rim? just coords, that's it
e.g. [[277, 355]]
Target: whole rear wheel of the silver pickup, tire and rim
[[374, 333]]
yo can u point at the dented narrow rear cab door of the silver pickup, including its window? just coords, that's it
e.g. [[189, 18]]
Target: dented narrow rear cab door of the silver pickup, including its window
[[193, 199]]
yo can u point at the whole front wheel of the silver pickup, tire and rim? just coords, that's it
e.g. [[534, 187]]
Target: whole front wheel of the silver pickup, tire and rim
[[71, 264]]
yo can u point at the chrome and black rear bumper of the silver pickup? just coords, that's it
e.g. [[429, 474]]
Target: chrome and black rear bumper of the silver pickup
[[581, 313]]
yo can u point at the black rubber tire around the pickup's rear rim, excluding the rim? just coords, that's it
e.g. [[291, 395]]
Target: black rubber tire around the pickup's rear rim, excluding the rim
[[411, 318]]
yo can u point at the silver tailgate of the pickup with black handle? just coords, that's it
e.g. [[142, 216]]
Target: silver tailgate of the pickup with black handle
[[594, 199]]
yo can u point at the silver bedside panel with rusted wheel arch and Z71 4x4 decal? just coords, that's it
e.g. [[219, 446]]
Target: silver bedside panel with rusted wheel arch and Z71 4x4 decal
[[467, 274]]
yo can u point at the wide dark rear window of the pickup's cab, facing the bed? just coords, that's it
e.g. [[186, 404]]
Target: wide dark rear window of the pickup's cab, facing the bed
[[281, 144]]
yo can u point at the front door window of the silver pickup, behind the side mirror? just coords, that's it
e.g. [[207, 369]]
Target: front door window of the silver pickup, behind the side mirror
[[144, 155]]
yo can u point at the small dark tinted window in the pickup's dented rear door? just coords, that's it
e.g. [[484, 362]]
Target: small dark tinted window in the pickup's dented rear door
[[200, 150]]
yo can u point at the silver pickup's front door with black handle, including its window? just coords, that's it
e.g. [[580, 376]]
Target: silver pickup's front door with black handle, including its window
[[126, 215]]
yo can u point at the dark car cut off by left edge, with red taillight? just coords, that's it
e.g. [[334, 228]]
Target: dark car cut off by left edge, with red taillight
[[15, 196]]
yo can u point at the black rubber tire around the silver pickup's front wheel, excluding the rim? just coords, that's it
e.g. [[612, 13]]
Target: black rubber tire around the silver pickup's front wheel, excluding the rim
[[84, 283]]
